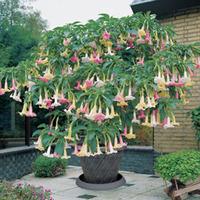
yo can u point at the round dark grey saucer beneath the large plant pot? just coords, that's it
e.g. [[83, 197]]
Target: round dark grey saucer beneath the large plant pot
[[80, 181]]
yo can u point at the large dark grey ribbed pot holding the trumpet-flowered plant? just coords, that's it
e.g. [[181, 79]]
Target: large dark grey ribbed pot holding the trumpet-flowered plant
[[101, 168]]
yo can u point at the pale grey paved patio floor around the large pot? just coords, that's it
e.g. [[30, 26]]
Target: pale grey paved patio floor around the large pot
[[138, 187]]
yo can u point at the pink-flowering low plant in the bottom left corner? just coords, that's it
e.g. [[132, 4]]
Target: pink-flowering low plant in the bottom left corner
[[21, 192]]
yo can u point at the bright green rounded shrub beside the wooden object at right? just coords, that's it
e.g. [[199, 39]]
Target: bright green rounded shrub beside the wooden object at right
[[182, 165]]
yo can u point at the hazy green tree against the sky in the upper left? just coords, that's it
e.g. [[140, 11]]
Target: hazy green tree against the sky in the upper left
[[20, 31]]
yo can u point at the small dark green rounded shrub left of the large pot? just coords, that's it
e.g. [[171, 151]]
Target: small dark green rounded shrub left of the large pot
[[49, 167]]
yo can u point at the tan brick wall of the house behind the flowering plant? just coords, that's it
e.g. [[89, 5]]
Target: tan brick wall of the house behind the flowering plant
[[187, 27]]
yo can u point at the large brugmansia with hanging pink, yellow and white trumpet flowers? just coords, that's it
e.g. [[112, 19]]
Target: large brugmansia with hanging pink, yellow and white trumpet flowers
[[98, 79]]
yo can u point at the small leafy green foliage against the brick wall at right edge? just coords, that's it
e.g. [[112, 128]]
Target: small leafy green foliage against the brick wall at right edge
[[195, 115]]
